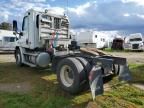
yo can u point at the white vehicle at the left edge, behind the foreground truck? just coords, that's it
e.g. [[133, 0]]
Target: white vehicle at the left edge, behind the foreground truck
[[7, 40]]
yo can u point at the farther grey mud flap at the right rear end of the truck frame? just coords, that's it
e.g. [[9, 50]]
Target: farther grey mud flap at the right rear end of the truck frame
[[124, 73]]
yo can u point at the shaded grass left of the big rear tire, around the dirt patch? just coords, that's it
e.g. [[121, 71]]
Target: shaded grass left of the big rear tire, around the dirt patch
[[44, 93]]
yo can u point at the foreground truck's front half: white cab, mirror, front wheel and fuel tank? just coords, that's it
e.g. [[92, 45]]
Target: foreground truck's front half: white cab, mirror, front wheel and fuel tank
[[41, 32]]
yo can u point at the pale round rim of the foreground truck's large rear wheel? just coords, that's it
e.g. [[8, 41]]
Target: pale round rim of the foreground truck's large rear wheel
[[66, 75]]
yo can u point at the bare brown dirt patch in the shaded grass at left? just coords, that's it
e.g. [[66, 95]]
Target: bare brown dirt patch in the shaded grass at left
[[15, 87]]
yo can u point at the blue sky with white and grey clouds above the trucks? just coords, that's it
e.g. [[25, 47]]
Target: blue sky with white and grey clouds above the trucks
[[109, 15]]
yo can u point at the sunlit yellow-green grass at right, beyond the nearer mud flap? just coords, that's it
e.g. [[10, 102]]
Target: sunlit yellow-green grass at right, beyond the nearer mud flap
[[123, 95]]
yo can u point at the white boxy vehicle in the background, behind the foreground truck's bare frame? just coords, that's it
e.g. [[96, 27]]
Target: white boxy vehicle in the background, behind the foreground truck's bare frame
[[91, 39]]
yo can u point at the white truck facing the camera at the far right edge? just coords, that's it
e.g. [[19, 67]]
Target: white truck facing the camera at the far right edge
[[134, 42]]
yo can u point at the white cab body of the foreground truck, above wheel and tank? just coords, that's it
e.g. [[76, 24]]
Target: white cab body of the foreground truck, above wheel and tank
[[37, 27]]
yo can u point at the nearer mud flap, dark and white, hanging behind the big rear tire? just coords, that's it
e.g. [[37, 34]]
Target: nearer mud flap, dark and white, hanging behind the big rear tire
[[96, 81]]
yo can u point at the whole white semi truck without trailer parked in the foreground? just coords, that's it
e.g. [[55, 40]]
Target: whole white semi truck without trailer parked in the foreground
[[45, 40]]
